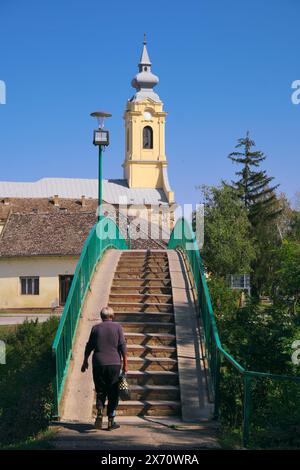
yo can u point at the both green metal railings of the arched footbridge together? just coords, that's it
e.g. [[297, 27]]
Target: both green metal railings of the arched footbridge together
[[106, 235]]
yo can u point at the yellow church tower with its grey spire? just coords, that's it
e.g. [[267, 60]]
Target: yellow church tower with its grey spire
[[145, 164]]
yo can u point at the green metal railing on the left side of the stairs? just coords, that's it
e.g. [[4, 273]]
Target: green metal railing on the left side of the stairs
[[105, 234]]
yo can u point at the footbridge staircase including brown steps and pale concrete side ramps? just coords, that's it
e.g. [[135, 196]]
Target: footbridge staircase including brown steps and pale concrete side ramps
[[150, 292]]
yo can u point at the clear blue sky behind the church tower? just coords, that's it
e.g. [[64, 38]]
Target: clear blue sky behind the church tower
[[225, 66]]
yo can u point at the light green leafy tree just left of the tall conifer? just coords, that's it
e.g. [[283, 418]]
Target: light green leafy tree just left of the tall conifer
[[228, 248]]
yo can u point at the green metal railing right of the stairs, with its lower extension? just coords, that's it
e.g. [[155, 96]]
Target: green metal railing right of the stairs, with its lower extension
[[183, 238]]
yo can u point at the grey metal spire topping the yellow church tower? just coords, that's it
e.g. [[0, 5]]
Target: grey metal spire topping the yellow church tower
[[145, 80]]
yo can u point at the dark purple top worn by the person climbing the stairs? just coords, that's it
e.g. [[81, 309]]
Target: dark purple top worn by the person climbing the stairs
[[108, 343]]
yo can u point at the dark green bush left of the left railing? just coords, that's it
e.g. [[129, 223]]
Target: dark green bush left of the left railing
[[26, 398]]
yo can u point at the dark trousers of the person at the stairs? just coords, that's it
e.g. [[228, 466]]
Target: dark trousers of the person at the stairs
[[106, 380]]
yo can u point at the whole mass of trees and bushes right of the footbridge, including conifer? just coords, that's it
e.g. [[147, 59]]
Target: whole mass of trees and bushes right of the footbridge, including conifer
[[249, 229]]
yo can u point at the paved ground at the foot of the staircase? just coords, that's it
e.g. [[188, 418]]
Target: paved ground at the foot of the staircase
[[141, 435]]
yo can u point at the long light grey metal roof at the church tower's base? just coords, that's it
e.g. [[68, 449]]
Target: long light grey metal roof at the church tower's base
[[115, 191]]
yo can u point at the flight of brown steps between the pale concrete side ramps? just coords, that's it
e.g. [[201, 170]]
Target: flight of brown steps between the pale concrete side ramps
[[141, 296]]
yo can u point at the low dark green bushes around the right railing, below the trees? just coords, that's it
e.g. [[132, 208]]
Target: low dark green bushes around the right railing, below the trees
[[260, 339]]
